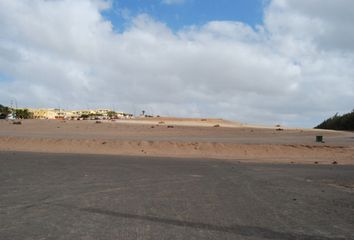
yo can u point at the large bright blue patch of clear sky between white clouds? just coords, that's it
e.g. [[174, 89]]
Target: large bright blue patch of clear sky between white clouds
[[187, 12]]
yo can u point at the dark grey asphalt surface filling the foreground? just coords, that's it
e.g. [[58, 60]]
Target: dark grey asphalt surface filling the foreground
[[57, 196]]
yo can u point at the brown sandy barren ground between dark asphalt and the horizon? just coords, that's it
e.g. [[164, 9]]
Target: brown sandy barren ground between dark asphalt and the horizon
[[177, 137]]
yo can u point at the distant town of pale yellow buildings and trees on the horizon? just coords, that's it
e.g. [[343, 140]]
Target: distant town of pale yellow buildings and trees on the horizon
[[61, 114]]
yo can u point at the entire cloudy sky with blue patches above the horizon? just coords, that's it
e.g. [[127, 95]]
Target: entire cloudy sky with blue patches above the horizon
[[278, 61]]
